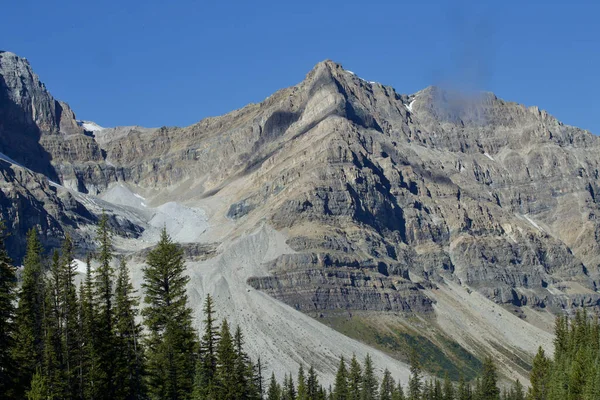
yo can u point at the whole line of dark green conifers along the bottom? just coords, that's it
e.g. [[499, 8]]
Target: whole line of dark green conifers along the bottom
[[95, 341]]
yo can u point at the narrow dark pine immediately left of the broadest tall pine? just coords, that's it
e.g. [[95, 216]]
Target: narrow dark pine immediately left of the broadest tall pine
[[129, 363]]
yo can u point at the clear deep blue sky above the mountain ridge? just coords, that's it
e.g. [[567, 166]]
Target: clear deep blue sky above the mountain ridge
[[156, 63]]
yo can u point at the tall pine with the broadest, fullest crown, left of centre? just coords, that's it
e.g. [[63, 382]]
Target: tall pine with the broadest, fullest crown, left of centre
[[171, 341]]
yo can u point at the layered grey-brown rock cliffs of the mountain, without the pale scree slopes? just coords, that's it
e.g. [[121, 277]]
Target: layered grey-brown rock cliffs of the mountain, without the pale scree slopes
[[382, 196]]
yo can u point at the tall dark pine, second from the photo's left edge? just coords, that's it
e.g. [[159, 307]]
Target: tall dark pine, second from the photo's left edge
[[28, 350]]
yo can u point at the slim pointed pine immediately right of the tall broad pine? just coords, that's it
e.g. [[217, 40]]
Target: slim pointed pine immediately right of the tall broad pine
[[206, 369]]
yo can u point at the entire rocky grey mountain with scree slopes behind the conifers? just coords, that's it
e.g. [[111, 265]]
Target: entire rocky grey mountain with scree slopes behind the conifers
[[336, 216]]
